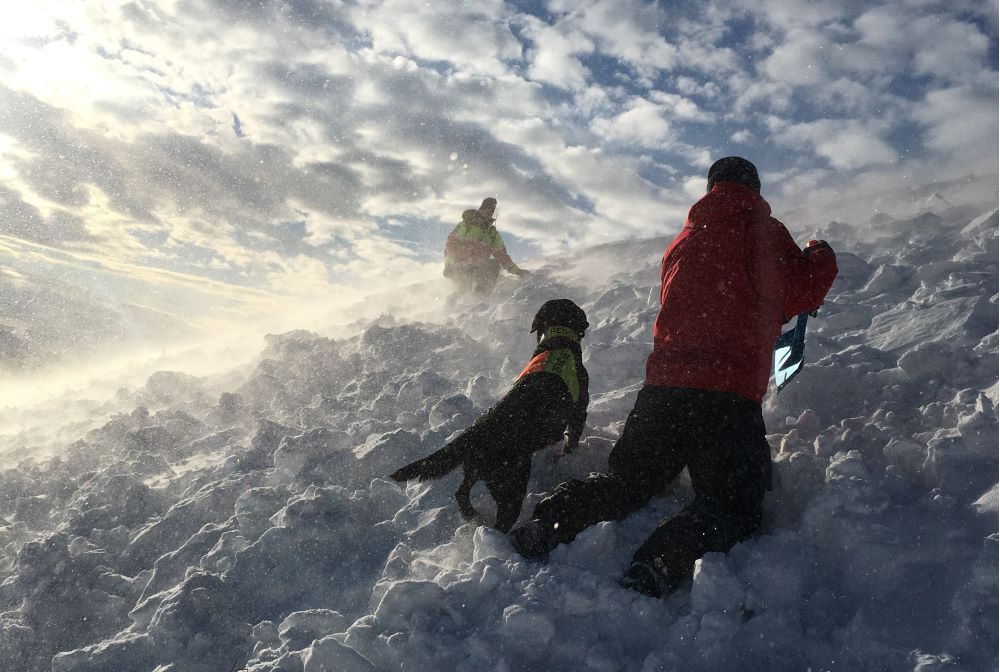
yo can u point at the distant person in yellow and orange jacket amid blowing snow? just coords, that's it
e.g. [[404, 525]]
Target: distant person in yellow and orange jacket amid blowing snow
[[474, 252]]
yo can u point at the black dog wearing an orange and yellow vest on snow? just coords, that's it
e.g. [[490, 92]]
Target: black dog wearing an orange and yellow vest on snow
[[550, 397]]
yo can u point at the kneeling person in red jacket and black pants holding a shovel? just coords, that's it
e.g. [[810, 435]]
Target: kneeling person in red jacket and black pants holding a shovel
[[730, 279]]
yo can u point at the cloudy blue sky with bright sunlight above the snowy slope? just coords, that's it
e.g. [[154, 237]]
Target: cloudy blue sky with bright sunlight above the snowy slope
[[199, 156]]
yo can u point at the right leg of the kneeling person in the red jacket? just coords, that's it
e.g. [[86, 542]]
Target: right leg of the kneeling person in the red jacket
[[729, 462]]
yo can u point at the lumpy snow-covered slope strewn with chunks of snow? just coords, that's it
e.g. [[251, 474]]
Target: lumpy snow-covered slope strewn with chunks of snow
[[244, 521]]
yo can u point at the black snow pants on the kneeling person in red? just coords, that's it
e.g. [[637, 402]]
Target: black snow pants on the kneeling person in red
[[719, 437]]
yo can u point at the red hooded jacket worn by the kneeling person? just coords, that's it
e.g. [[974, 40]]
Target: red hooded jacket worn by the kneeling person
[[731, 278]]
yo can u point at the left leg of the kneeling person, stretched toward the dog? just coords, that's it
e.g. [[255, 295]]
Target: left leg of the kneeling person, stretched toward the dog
[[641, 463]]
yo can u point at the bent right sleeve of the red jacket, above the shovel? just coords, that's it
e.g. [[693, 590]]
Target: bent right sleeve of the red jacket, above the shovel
[[783, 275]]
